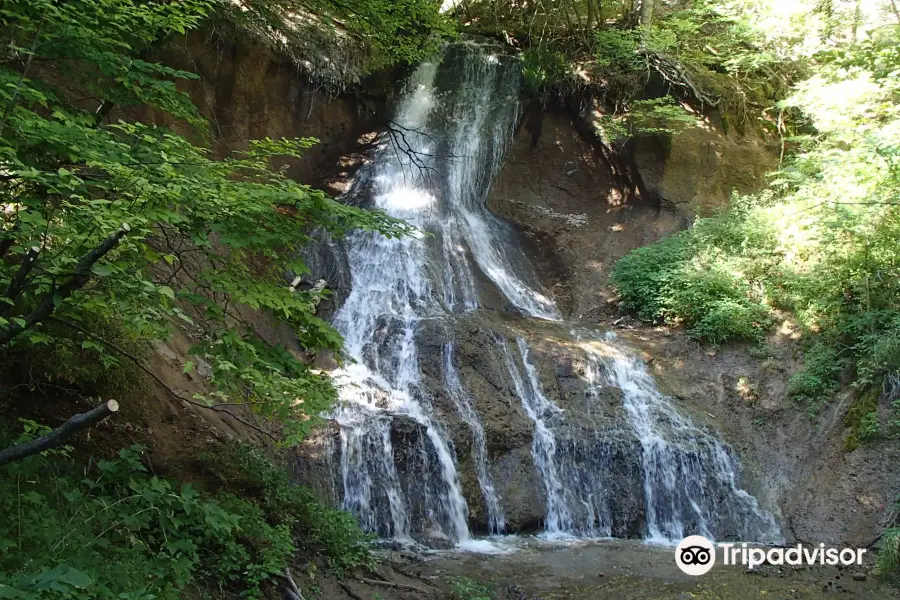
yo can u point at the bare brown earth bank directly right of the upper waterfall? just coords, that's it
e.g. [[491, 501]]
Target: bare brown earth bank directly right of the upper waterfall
[[575, 218]]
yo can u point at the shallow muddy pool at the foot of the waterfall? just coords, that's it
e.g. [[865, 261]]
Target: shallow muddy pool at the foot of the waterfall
[[623, 569]]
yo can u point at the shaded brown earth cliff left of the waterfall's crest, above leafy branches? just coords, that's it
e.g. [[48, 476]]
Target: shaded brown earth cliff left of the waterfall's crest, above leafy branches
[[248, 91]]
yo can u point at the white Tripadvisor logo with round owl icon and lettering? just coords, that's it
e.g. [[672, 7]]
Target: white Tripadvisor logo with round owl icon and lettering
[[696, 555]]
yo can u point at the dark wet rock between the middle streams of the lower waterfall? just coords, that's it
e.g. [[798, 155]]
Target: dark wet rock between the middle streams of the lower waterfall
[[594, 439]]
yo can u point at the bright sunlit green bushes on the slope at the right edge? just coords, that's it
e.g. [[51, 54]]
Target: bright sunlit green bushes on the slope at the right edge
[[820, 244]]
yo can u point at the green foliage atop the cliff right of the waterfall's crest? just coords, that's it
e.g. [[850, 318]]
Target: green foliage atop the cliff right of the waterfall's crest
[[713, 53]]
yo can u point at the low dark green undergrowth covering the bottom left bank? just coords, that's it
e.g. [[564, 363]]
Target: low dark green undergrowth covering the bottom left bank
[[110, 528]]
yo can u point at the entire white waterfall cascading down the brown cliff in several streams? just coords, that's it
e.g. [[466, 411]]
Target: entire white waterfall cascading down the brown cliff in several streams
[[398, 465]]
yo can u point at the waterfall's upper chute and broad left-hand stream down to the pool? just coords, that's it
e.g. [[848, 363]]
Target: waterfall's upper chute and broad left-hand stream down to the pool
[[434, 174]]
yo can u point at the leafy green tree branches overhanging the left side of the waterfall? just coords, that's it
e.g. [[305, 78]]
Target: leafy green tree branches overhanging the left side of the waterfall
[[132, 224]]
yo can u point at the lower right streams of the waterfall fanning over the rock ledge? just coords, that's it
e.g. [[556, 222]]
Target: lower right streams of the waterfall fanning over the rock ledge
[[689, 476]]
